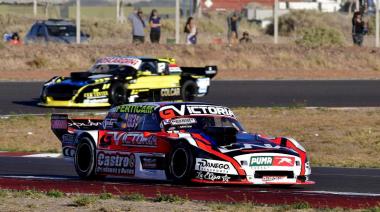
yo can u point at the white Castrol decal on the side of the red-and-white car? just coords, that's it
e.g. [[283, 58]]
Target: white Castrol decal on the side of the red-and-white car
[[115, 163]]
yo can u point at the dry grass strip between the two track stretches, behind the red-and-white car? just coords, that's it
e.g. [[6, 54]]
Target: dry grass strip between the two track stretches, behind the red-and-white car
[[344, 138]]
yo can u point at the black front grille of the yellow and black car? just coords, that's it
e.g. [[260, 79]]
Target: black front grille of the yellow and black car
[[61, 91]]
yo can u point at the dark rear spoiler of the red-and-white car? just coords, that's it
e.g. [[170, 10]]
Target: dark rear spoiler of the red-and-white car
[[61, 124]]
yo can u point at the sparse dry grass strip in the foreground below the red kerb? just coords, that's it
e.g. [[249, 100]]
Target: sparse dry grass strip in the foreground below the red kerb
[[32, 200]]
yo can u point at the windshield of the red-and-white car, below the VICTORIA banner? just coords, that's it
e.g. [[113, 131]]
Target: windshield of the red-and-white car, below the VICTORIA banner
[[201, 123]]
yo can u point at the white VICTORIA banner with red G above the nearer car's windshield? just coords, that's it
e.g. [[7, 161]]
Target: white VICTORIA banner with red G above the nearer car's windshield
[[171, 111]]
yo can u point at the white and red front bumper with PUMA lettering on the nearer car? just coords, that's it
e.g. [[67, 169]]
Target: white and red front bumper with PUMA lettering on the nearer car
[[256, 169]]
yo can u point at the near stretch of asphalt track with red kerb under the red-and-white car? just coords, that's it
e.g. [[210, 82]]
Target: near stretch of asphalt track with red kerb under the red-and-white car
[[334, 186]]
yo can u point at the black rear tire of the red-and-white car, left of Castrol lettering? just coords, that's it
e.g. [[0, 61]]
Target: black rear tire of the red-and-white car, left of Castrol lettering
[[84, 159]]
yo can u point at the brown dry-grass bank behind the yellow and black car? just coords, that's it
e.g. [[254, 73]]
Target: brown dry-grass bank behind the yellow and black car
[[256, 61]]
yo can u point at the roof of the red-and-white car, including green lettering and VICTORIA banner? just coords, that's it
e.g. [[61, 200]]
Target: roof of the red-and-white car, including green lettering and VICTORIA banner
[[168, 110]]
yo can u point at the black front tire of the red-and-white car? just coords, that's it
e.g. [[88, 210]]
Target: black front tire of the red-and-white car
[[180, 163]]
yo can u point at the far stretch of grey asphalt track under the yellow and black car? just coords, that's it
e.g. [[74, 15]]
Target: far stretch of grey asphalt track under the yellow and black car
[[22, 97]]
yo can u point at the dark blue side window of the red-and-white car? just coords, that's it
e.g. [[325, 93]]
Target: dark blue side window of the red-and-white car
[[131, 122]]
